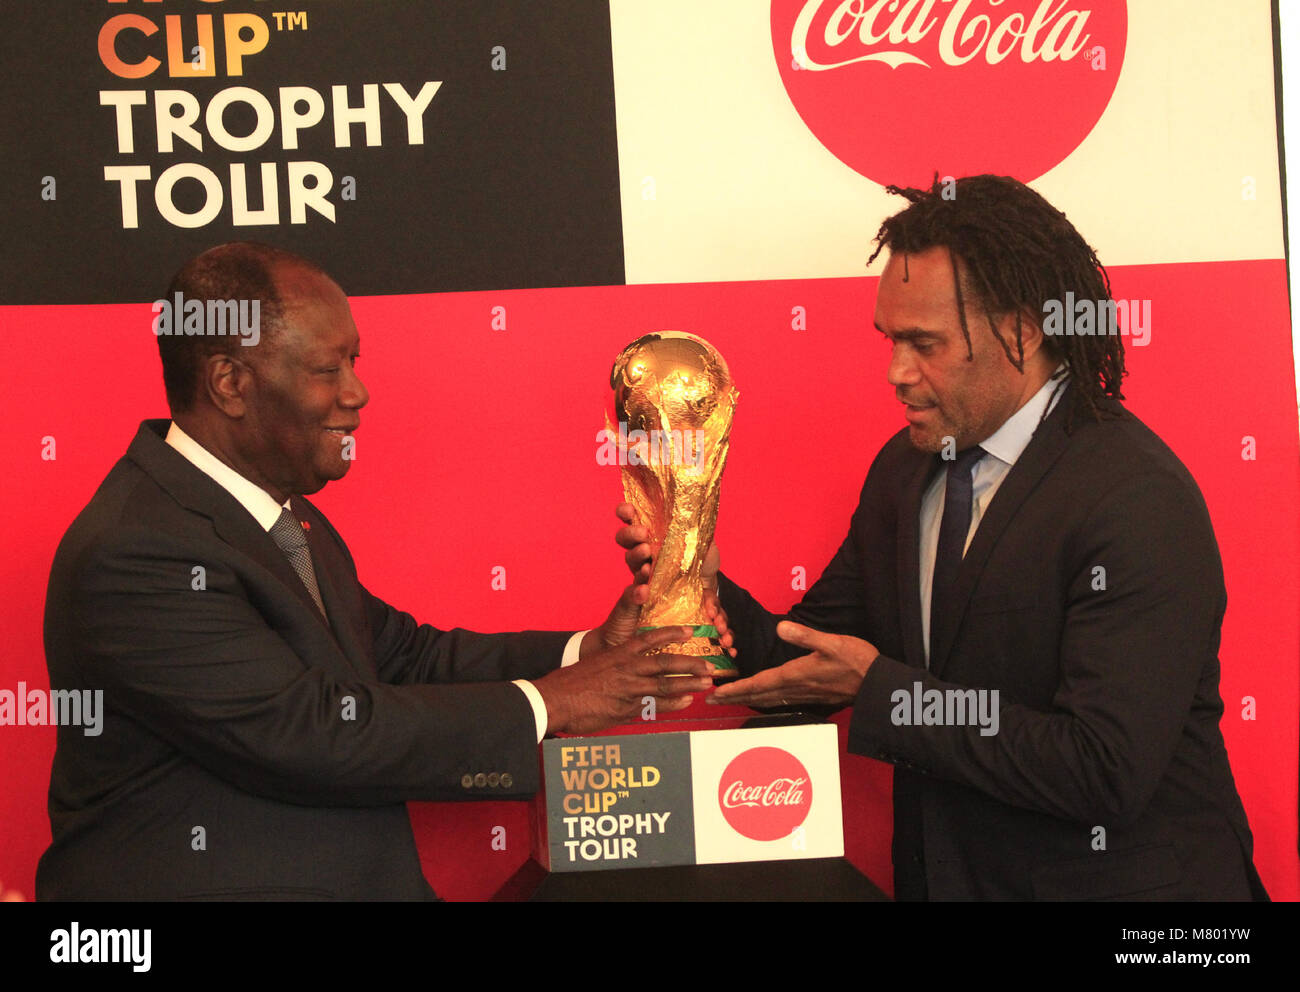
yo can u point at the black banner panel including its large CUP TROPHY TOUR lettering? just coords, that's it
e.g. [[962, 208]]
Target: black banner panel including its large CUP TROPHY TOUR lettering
[[408, 146]]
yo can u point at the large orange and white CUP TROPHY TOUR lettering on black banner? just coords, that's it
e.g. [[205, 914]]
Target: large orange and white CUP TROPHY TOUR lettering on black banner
[[166, 120]]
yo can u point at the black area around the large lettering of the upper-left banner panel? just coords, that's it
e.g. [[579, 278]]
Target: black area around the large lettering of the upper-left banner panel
[[515, 185]]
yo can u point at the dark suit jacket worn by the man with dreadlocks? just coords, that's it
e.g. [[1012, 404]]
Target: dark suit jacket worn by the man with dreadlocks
[[1108, 681]]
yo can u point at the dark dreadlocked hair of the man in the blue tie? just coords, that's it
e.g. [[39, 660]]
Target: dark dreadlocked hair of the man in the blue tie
[[1017, 253]]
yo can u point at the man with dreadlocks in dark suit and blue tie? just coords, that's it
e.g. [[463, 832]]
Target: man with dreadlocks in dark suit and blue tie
[[1025, 614]]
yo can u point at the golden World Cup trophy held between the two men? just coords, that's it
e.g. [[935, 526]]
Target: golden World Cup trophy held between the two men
[[674, 400]]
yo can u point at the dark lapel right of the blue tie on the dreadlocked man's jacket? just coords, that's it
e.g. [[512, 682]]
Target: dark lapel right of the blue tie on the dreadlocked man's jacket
[[1047, 445]]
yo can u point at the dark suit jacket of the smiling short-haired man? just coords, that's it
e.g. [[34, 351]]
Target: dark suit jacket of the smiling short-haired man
[[233, 707]]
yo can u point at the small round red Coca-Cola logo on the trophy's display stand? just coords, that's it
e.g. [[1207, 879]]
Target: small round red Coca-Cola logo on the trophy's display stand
[[765, 794]]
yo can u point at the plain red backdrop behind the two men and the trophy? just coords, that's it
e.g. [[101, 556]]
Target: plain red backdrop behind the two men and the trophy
[[479, 450]]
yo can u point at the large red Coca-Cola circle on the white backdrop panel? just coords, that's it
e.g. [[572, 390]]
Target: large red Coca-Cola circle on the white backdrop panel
[[902, 89]]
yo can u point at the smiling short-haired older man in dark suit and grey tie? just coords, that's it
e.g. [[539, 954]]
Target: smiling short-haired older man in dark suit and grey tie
[[267, 717]]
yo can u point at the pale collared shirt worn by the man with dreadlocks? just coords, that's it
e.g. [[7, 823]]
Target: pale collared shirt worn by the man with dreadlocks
[[1003, 448]]
